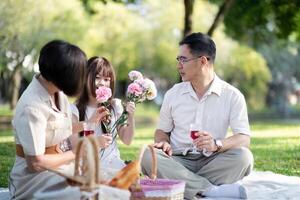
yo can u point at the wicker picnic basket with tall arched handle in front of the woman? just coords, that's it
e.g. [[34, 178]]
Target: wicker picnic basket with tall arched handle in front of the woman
[[87, 173]]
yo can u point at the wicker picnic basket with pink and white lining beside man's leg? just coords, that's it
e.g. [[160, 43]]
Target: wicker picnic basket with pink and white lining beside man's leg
[[154, 188]]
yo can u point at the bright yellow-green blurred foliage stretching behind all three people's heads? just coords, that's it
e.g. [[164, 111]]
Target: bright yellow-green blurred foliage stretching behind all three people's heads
[[141, 35]]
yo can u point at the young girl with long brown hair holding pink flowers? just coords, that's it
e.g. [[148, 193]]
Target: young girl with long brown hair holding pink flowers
[[101, 73]]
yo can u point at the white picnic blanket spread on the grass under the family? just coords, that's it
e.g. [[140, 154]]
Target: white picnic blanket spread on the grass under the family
[[260, 186]]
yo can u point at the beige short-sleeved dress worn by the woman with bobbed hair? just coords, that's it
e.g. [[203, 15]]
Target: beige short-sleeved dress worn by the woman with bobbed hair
[[38, 124]]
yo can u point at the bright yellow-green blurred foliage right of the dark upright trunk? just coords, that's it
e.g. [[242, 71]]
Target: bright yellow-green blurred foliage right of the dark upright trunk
[[237, 64]]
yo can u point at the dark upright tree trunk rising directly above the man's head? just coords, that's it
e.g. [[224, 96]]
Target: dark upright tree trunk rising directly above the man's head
[[188, 16]]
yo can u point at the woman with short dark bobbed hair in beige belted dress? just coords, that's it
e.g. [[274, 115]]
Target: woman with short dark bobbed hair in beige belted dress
[[43, 122]]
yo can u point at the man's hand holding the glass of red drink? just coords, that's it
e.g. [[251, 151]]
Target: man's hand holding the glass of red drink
[[205, 141]]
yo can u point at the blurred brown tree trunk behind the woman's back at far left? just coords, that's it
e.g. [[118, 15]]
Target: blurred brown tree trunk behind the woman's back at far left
[[15, 86]]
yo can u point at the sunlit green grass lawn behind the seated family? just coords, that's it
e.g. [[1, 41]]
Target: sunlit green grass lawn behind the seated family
[[275, 144]]
